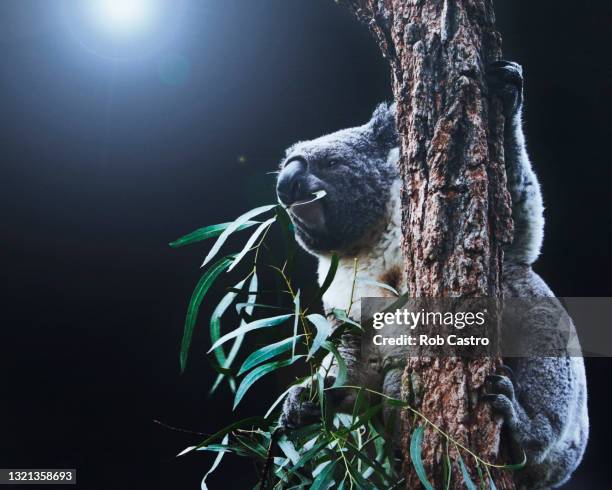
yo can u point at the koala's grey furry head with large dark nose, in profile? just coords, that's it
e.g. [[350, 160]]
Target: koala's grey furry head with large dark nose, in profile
[[354, 169]]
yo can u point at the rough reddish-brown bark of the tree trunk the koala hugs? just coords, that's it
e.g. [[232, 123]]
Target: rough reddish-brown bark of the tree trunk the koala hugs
[[455, 204]]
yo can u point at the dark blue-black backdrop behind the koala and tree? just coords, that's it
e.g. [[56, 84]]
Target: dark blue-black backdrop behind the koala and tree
[[104, 162]]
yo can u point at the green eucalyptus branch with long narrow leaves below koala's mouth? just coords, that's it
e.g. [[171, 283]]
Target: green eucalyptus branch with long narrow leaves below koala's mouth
[[341, 450]]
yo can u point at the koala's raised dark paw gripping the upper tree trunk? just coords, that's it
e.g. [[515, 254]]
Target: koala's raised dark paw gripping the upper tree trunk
[[505, 79]]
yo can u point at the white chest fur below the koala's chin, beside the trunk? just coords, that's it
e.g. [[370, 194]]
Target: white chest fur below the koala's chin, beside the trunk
[[381, 262]]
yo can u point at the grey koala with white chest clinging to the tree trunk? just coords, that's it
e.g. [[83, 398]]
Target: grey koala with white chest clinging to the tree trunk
[[542, 399]]
